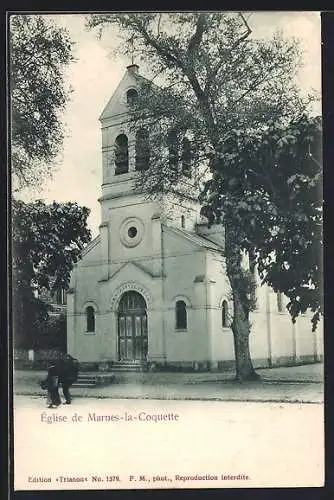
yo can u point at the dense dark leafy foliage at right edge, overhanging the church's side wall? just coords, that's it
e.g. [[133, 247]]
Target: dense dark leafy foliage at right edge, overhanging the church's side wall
[[279, 213]]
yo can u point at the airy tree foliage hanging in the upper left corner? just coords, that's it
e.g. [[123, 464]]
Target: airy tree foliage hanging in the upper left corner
[[40, 51]]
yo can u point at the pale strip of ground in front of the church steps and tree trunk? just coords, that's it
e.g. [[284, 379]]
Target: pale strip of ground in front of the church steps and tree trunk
[[297, 384]]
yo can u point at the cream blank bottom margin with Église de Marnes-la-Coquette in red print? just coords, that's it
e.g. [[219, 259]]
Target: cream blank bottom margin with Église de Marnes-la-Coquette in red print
[[166, 444]]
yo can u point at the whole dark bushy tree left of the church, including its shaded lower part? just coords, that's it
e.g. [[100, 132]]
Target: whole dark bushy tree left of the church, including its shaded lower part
[[47, 241]]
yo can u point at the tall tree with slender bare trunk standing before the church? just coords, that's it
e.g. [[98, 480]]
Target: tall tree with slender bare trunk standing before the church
[[231, 92]]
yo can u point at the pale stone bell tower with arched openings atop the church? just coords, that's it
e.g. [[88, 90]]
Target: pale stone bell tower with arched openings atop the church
[[131, 222]]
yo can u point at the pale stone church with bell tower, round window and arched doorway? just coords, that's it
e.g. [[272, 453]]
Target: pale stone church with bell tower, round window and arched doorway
[[150, 291]]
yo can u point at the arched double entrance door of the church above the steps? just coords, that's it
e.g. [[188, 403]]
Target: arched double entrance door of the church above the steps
[[132, 327]]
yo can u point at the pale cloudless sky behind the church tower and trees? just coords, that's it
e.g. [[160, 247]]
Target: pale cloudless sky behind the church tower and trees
[[94, 77]]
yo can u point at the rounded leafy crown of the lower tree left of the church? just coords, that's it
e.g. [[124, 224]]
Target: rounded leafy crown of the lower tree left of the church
[[47, 241]]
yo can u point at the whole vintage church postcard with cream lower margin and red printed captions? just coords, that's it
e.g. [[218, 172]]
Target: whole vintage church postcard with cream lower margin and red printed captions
[[166, 236]]
